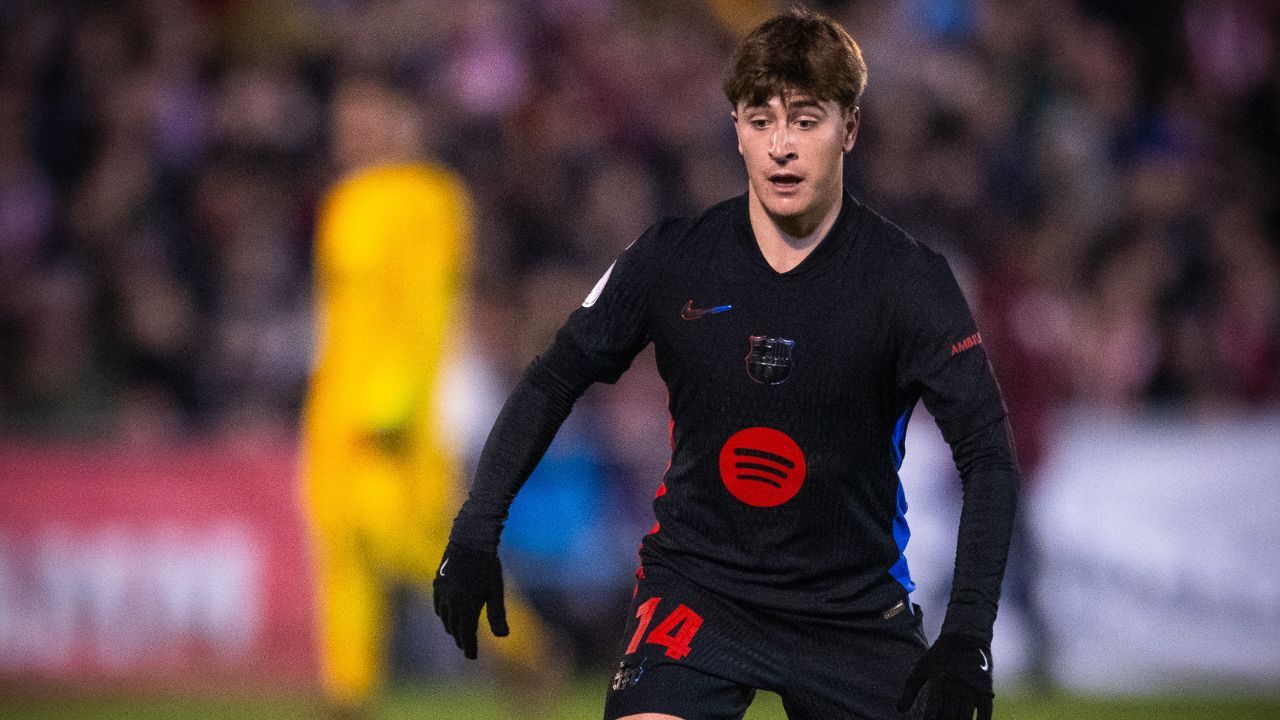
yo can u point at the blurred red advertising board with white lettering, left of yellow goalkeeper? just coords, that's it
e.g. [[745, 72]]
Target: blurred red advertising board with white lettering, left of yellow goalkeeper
[[181, 566]]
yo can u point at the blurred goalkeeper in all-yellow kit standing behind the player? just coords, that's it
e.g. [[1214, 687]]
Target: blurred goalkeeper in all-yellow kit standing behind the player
[[381, 480]]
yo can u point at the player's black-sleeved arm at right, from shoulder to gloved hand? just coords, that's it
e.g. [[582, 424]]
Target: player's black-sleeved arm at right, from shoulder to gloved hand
[[943, 361]]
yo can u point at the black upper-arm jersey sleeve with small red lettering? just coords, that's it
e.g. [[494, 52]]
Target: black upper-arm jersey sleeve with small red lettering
[[941, 358]]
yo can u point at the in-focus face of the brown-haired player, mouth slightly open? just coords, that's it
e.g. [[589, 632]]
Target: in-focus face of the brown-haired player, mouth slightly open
[[794, 156]]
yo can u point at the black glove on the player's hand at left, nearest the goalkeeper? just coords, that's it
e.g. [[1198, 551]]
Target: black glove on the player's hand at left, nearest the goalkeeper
[[468, 581]]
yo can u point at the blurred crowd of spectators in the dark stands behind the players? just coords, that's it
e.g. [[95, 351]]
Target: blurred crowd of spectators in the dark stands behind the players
[[1101, 176]]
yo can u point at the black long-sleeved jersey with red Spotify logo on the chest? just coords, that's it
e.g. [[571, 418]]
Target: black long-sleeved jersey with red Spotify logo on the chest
[[790, 397]]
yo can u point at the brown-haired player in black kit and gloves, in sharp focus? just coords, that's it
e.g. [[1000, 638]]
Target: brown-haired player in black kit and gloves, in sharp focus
[[796, 331]]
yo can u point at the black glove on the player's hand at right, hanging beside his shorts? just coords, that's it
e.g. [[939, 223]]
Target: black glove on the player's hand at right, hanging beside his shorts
[[958, 671]]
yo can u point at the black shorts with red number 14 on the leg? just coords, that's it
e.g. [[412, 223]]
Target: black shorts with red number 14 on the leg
[[698, 657]]
